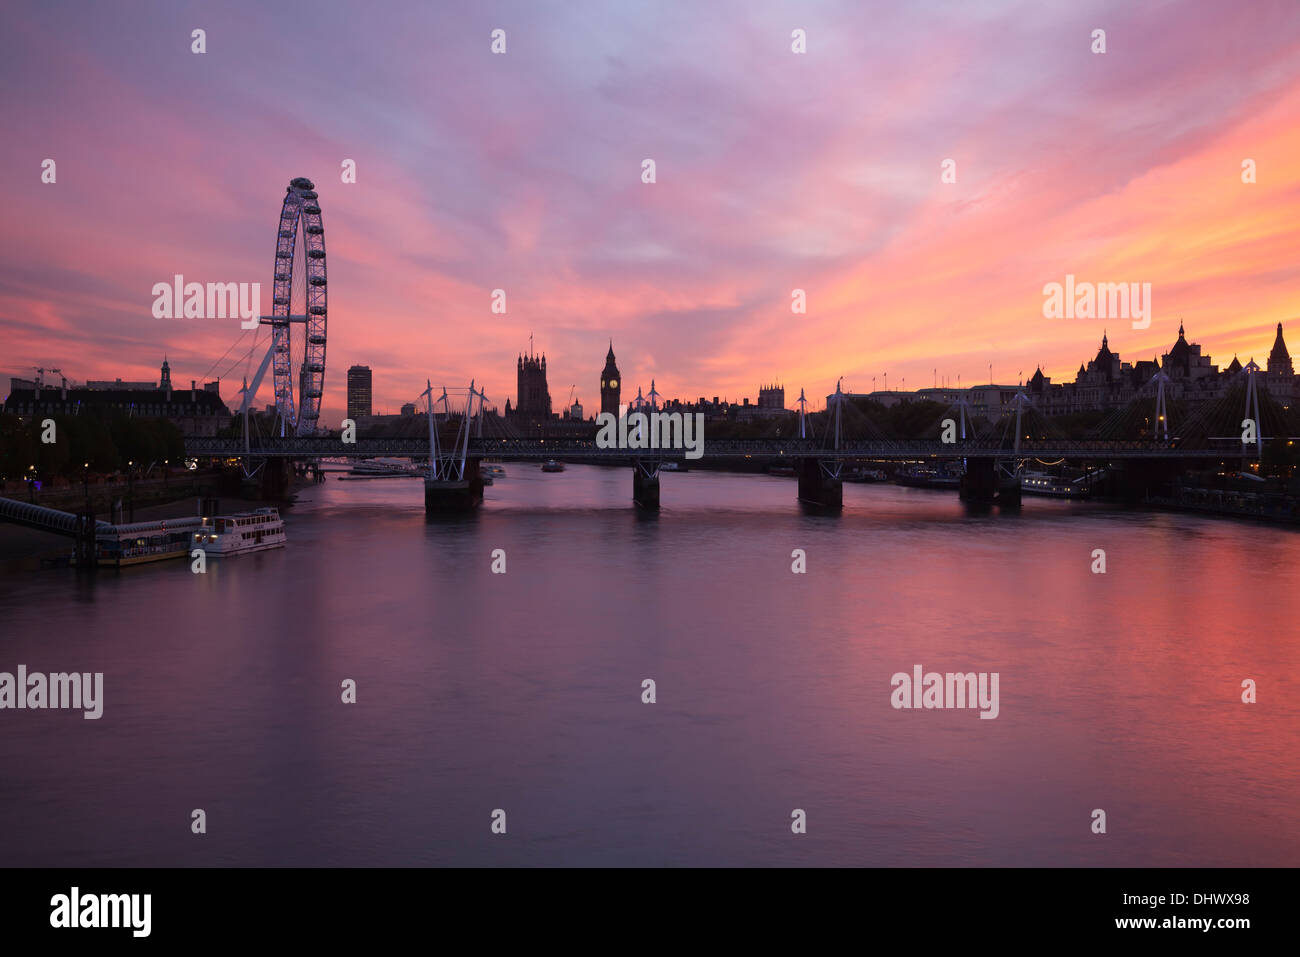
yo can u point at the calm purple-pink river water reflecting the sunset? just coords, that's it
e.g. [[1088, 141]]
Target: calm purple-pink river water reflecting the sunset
[[523, 691]]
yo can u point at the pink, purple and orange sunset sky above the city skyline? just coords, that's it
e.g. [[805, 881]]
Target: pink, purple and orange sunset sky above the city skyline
[[774, 172]]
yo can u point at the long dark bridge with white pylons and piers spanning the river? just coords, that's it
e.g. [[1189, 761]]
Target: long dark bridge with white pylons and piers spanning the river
[[1138, 441]]
